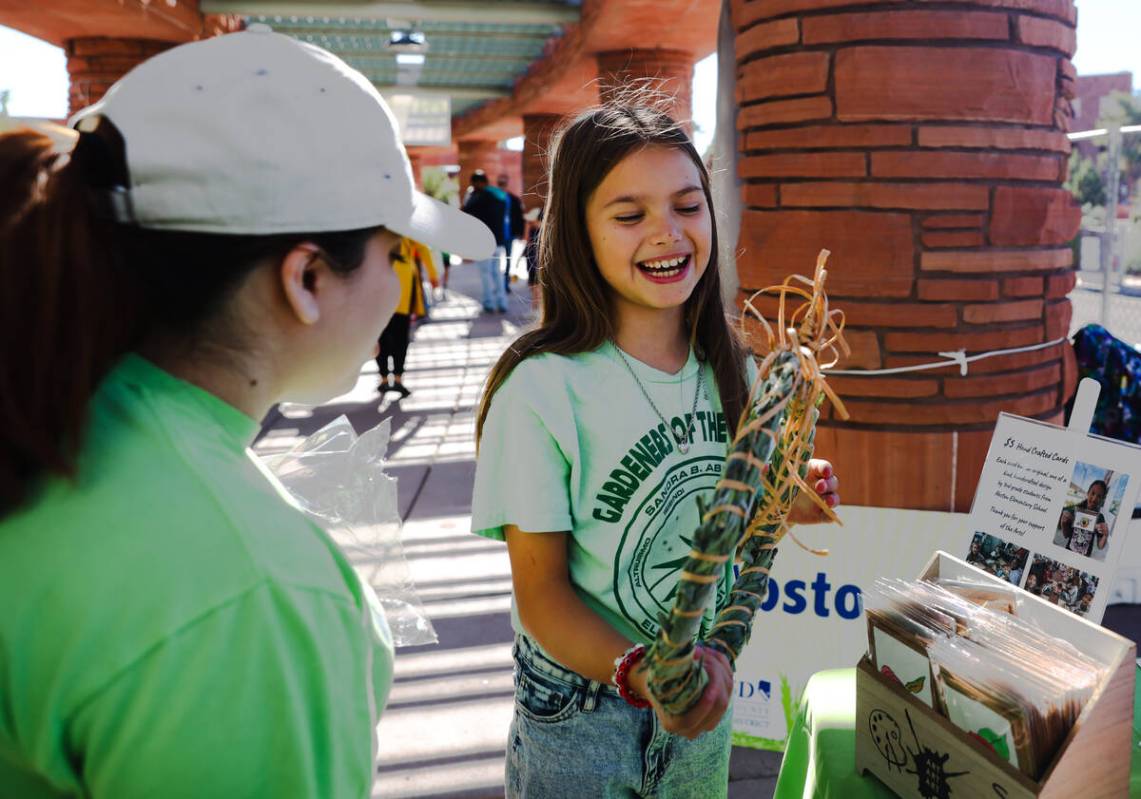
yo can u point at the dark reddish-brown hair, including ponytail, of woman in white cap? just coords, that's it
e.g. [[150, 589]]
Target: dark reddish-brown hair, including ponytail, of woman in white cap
[[80, 292]]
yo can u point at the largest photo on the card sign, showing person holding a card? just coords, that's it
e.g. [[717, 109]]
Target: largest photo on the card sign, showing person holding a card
[[1094, 502]]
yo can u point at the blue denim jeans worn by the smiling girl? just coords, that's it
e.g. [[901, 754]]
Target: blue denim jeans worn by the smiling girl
[[573, 738]]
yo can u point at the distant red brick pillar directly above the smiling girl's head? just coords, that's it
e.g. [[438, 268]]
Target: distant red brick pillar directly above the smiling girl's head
[[669, 72]]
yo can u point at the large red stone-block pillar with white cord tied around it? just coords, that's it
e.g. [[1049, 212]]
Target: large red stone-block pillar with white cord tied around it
[[932, 165]]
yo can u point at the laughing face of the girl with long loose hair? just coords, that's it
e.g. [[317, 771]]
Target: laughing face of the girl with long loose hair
[[651, 230]]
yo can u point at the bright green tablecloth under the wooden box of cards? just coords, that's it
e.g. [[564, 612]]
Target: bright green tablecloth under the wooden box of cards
[[821, 755]]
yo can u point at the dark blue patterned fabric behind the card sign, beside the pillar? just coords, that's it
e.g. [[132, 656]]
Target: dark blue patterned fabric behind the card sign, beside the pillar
[[1118, 367]]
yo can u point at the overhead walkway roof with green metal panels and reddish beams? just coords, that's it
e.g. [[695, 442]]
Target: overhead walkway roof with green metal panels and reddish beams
[[471, 70]]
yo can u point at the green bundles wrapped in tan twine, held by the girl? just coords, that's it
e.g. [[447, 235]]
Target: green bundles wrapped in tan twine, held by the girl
[[763, 475]]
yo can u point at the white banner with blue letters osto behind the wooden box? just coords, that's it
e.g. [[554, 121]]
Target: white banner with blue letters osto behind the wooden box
[[813, 616]]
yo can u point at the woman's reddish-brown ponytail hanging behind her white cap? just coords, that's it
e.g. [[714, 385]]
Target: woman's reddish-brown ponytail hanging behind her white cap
[[68, 311]]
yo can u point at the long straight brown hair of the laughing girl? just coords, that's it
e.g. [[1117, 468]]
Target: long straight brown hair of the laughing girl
[[577, 308]]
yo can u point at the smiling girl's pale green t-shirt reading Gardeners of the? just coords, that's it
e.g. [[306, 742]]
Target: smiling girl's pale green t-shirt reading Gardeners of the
[[571, 445]]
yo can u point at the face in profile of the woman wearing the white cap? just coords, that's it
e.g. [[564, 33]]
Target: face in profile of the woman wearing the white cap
[[355, 309]]
